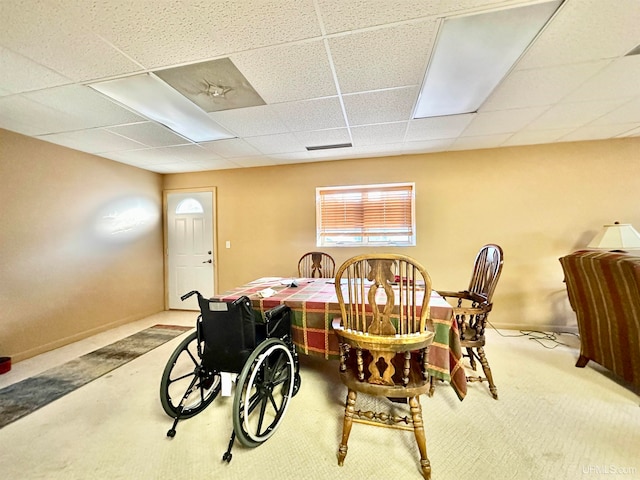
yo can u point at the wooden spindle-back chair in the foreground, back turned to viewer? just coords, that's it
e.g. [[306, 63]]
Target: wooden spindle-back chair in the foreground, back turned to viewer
[[384, 334]]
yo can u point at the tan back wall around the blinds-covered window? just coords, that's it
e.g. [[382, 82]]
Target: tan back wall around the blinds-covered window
[[537, 202]]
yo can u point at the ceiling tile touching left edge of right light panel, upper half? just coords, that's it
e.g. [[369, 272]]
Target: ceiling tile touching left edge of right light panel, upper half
[[383, 58]]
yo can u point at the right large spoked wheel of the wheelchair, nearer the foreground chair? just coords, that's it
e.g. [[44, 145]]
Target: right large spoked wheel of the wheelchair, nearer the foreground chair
[[263, 391]]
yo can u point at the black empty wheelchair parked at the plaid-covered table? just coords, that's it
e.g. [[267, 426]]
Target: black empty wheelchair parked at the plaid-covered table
[[229, 339]]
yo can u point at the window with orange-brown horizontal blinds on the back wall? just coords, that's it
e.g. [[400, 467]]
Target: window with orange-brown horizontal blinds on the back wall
[[366, 215]]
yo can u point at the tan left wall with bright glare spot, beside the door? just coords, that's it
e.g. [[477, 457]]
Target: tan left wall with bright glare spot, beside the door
[[63, 276]]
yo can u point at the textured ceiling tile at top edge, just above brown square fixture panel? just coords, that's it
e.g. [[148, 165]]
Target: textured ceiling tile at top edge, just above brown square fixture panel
[[192, 31]]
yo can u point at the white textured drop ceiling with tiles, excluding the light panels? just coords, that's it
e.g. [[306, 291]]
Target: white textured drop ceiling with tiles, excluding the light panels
[[330, 71]]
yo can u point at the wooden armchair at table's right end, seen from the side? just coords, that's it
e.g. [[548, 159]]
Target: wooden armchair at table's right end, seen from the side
[[472, 307]]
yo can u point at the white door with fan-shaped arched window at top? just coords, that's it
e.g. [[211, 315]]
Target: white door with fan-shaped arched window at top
[[190, 255]]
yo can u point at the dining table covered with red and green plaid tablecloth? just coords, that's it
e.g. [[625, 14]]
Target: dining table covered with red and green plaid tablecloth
[[314, 305]]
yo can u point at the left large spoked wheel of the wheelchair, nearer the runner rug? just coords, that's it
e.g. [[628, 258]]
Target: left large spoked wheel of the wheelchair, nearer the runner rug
[[184, 374]]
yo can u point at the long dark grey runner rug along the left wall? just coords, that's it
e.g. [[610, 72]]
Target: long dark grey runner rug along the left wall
[[24, 397]]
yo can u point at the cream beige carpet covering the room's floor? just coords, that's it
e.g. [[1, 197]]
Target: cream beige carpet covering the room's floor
[[553, 421]]
